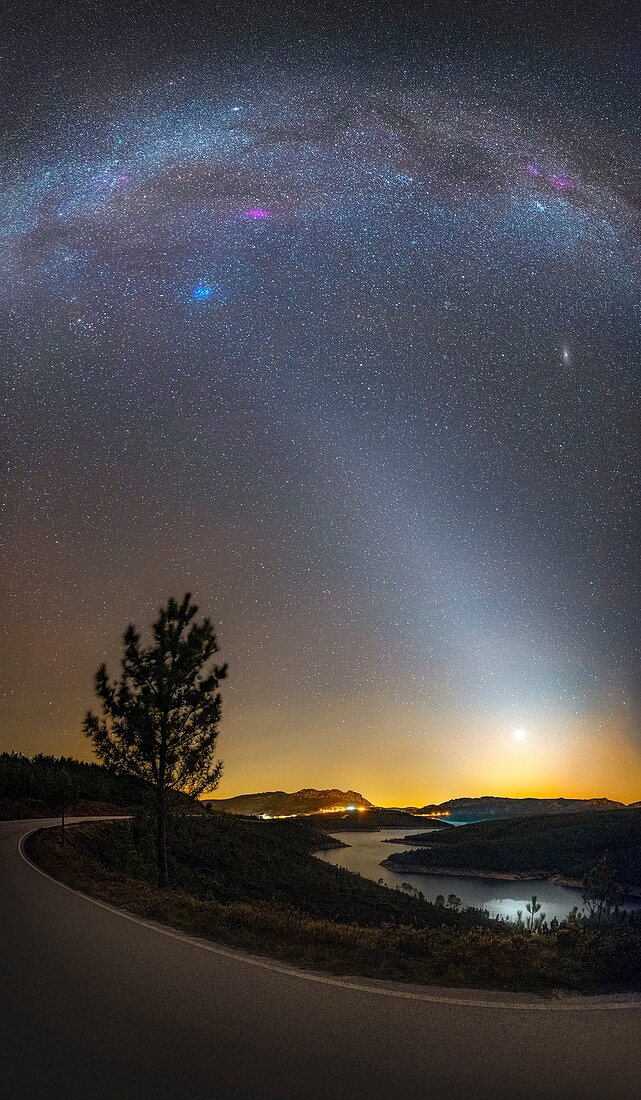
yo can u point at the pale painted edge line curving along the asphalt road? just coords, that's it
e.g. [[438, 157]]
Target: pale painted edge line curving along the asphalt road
[[322, 980]]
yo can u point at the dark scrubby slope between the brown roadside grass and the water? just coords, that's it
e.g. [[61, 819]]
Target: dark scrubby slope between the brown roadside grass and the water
[[230, 860]]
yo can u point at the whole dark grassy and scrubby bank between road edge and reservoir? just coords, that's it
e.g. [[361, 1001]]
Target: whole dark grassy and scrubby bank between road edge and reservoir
[[257, 886]]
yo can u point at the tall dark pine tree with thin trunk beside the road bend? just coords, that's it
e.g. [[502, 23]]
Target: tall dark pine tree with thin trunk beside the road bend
[[161, 718]]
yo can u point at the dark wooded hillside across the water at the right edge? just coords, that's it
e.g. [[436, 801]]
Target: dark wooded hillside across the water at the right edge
[[565, 845]]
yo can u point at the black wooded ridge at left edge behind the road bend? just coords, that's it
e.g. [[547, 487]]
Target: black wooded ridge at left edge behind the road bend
[[43, 778]]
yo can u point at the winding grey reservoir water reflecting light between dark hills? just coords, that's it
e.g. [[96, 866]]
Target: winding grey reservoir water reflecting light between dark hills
[[500, 897]]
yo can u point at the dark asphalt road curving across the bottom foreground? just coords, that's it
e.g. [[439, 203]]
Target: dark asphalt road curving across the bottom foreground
[[97, 1006]]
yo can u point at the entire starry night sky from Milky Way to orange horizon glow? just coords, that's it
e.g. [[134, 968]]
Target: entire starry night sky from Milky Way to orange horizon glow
[[334, 320]]
